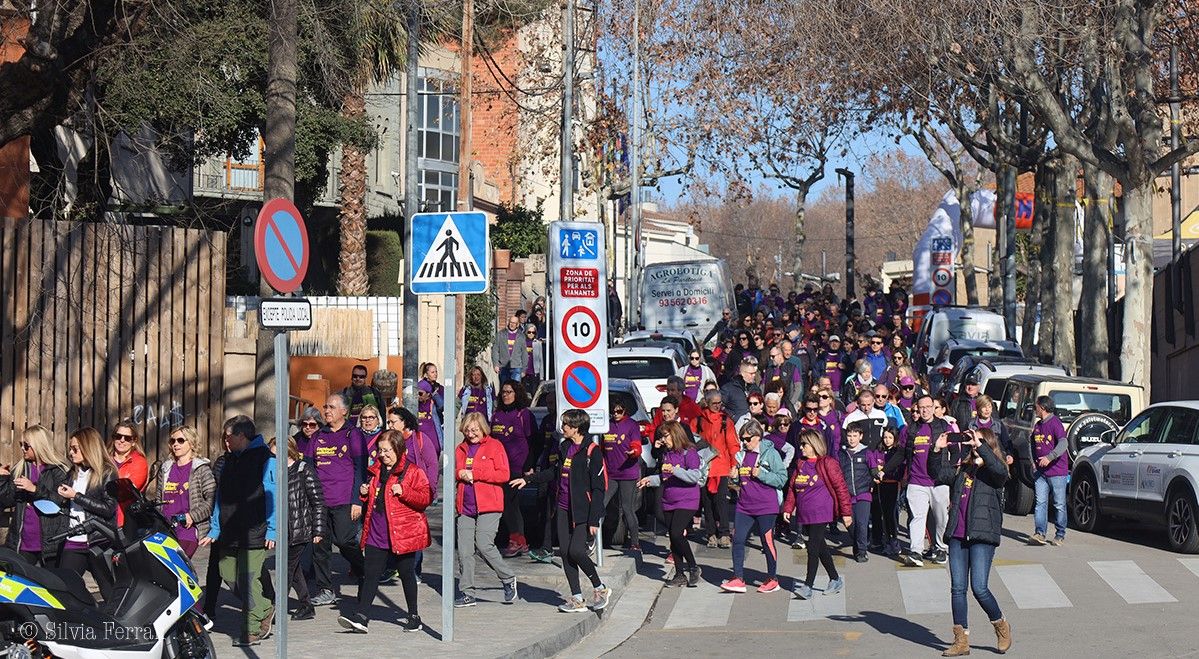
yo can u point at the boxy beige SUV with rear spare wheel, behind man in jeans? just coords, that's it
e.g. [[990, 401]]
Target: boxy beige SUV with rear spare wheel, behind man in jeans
[[1076, 398]]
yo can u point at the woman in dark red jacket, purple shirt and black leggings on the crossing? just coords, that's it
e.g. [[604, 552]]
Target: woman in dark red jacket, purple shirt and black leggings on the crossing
[[817, 495]]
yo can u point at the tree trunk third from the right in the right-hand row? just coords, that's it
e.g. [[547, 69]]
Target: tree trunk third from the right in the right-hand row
[[1065, 226]]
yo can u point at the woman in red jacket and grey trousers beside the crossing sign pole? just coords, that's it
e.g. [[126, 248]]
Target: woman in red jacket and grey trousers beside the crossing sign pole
[[481, 465]]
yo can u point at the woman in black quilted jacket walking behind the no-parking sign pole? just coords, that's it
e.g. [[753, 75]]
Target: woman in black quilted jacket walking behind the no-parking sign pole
[[306, 523]]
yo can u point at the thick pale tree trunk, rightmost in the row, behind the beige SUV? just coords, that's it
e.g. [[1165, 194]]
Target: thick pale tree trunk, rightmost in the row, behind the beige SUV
[[1138, 301]]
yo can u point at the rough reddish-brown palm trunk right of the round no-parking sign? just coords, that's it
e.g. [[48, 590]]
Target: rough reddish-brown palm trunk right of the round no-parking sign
[[352, 261]]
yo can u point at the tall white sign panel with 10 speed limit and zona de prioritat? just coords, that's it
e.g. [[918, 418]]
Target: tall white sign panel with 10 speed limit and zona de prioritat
[[580, 289]]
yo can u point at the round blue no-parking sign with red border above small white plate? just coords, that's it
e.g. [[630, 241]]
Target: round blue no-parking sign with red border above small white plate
[[281, 245]]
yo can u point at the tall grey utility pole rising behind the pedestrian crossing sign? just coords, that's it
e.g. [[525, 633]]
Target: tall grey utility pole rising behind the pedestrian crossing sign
[[412, 199]]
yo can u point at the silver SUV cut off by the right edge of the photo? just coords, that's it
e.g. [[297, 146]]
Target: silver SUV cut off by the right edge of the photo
[[1147, 471]]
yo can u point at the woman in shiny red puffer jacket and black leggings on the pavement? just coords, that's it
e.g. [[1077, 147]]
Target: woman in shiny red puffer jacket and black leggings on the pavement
[[394, 524]]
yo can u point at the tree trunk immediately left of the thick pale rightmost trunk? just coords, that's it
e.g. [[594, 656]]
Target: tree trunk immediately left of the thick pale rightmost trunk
[[1093, 304]]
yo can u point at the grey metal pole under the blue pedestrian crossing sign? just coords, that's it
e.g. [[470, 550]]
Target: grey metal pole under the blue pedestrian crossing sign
[[449, 489]]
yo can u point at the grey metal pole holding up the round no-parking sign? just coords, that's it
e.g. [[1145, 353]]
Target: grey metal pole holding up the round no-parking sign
[[282, 433]]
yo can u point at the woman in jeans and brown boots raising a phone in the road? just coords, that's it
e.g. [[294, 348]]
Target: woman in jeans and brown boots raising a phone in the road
[[974, 529]]
